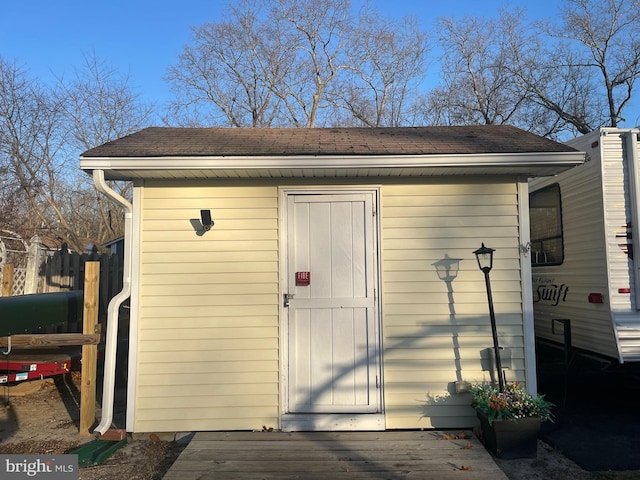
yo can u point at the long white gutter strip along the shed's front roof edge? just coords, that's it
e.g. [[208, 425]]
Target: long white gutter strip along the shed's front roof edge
[[567, 159]]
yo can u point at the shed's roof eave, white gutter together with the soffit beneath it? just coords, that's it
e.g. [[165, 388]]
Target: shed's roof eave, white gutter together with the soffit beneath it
[[531, 164]]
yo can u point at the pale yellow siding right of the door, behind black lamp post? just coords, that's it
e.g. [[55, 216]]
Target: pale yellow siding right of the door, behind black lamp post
[[433, 332]]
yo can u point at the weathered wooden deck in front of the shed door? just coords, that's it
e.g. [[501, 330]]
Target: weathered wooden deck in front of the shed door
[[335, 455]]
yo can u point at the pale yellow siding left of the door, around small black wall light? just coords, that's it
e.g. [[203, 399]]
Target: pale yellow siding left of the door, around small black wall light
[[208, 328]]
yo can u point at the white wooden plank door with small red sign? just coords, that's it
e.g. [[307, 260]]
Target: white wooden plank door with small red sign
[[332, 314]]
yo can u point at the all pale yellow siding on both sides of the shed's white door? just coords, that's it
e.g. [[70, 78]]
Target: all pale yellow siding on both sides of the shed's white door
[[208, 350]]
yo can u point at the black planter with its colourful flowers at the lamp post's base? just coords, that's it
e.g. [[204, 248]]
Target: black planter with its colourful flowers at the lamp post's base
[[510, 420]]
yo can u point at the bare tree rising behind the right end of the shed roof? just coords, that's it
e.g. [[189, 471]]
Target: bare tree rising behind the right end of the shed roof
[[478, 85]]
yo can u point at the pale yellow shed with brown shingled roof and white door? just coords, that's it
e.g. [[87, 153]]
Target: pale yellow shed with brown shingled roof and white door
[[335, 287]]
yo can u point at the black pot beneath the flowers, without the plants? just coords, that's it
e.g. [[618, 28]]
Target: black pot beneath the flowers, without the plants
[[510, 439]]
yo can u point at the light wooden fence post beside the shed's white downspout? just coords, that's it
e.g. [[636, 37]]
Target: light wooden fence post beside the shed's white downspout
[[89, 352]]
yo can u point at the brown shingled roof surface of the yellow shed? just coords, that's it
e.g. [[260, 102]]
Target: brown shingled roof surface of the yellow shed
[[222, 142]]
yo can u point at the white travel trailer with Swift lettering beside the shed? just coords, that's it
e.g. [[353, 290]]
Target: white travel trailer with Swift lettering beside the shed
[[584, 232]]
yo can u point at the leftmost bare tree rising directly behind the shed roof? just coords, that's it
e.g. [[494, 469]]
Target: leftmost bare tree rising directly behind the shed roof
[[226, 75]]
